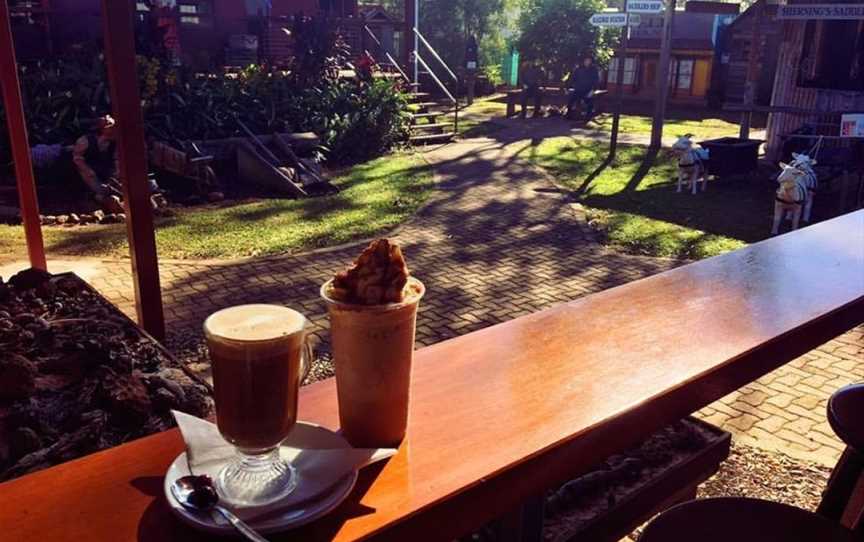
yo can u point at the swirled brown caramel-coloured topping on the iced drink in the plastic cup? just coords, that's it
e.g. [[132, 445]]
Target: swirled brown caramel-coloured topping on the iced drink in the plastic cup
[[378, 276]]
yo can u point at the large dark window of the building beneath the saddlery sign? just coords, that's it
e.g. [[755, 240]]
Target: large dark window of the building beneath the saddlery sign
[[832, 55]]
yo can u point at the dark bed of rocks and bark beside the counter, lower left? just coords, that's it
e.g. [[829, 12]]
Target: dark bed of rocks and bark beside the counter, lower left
[[77, 376]]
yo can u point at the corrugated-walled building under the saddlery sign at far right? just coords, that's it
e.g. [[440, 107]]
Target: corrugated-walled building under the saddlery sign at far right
[[820, 75]]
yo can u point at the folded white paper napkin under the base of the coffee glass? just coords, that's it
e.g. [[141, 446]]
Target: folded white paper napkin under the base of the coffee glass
[[320, 466]]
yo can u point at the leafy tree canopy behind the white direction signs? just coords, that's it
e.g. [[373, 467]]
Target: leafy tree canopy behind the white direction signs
[[556, 34]]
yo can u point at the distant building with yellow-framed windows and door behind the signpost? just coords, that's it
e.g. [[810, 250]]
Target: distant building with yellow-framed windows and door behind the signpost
[[694, 45]]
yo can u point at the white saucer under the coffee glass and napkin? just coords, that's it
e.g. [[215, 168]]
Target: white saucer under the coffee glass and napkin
[[276, 521]]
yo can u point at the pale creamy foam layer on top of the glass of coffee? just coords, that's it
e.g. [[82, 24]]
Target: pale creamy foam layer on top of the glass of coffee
[[254, 323]]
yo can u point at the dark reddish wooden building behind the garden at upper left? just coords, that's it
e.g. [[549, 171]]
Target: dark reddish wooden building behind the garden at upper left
[[203, 33]]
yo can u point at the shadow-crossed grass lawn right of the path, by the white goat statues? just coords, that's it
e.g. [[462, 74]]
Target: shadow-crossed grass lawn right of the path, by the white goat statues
[[633, 202]]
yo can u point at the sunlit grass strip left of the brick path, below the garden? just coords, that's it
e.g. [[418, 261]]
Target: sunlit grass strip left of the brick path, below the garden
[[375, 196]]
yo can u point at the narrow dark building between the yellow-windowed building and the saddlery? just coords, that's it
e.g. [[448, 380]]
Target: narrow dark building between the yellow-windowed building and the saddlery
[[731, 66]]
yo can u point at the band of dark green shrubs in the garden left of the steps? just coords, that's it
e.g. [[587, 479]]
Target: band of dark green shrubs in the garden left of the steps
[[356, 119]]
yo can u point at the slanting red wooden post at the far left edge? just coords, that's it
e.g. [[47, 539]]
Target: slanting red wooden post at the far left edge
[[19, 142]]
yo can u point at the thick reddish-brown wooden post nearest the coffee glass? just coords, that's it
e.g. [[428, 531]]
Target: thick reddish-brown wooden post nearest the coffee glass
[[119, 29]]
